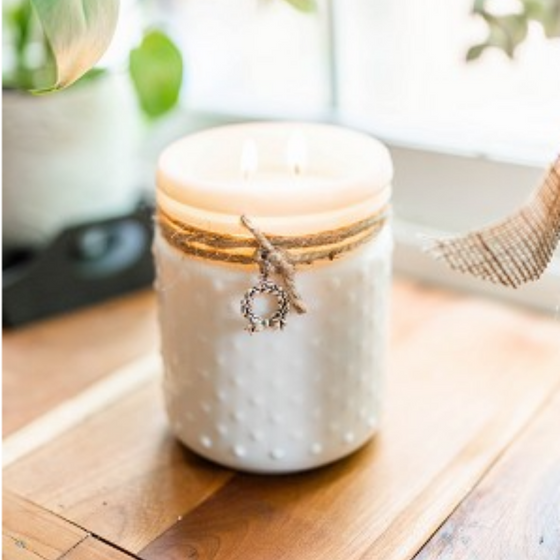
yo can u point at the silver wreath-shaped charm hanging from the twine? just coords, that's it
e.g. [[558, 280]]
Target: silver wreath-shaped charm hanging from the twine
[[277, 319]]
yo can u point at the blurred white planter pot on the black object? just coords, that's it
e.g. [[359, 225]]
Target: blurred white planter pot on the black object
[[68, 158]]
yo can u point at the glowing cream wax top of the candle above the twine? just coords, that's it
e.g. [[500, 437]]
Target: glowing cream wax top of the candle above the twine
[[200, 179]]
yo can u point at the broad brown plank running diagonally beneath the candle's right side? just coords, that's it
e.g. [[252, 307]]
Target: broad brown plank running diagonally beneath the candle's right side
[[447, 420]]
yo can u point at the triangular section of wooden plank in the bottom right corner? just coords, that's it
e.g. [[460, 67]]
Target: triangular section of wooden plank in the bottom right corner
[[515, 512]]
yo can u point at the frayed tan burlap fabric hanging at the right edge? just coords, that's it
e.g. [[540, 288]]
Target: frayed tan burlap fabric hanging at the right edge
[[516, 250]]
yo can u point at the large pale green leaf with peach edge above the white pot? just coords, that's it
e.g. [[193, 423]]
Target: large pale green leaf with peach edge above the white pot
[[78, 33]]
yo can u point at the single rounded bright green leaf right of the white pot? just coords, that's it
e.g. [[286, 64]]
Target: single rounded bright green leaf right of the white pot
[[156, 68]]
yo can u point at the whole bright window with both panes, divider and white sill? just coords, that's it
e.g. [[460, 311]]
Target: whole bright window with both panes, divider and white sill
[[469, 140]]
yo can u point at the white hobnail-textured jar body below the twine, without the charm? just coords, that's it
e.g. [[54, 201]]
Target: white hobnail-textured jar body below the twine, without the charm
[[275, 401]]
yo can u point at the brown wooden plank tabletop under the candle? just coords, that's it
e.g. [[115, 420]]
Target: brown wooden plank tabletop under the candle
[[466, 466]]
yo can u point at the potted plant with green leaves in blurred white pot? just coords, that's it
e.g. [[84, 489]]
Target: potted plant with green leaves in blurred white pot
[[70, 158]]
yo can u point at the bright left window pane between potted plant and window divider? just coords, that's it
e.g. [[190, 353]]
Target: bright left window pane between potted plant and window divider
[[248, 55]]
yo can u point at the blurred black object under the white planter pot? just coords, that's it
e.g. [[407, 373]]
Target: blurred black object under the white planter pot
[[85, 264]]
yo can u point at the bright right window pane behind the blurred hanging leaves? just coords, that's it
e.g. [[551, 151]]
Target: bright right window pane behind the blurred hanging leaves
[[402, 66]]
